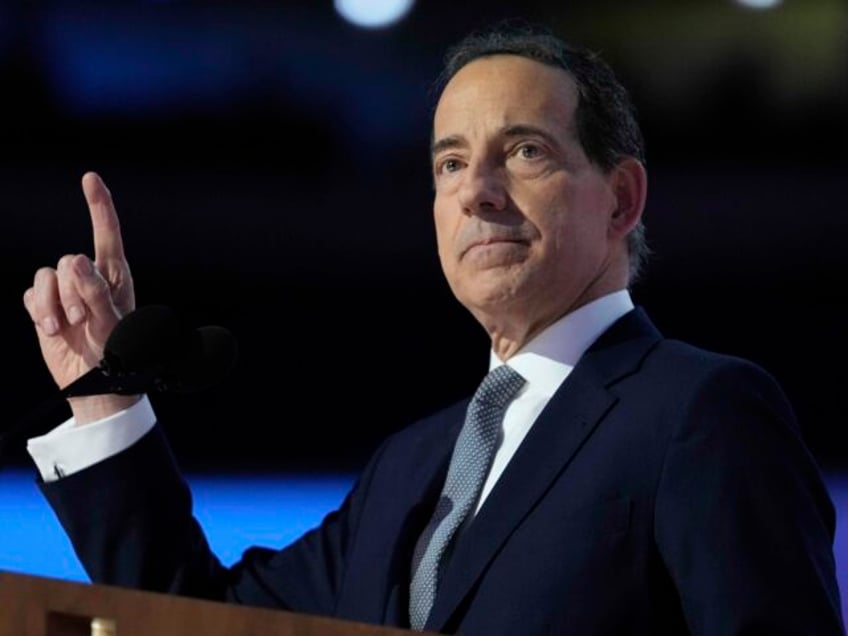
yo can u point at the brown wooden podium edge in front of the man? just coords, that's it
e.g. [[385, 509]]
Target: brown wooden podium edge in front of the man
[[39, 606]]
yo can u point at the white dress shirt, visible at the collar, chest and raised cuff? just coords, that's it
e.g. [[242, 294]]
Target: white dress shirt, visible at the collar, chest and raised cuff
[[544, 362]]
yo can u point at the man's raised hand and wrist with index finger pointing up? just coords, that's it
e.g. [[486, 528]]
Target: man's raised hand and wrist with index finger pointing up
[[75, 305]]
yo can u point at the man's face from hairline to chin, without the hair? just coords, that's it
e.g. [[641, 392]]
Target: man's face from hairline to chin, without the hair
[[521, 214]]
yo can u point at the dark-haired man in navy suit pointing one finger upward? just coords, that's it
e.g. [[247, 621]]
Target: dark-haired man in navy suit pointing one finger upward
[[638, 485]]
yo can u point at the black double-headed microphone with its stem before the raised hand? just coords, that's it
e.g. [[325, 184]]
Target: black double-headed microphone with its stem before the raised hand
[[151, 349]]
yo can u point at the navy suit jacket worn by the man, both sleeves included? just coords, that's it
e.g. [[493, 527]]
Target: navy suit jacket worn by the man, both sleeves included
[[664, 490]]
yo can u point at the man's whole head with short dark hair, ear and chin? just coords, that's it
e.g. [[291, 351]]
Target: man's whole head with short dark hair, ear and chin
[[539, 179]]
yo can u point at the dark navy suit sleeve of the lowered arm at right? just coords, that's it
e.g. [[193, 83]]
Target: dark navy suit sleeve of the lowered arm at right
[[744, 522]]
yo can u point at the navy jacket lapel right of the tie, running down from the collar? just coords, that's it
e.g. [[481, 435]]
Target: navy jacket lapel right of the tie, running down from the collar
[[573, 413]]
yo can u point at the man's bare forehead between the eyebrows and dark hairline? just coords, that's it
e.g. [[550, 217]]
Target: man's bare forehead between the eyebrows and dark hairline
[[504, 90]]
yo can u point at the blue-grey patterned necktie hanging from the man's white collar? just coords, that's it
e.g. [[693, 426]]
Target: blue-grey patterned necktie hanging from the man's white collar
[[472, 457]]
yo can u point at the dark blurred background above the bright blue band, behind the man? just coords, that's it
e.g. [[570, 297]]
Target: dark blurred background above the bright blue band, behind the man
[[269, 163]]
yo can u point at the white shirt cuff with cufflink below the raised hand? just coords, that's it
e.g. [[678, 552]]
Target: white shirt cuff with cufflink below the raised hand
[[68, 448]]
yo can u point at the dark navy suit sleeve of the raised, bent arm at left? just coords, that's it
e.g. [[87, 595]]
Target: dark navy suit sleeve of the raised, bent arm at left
[[130, 522]]
